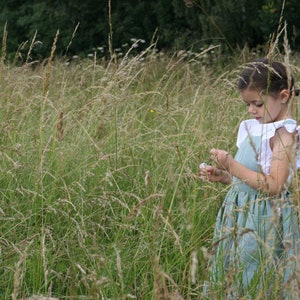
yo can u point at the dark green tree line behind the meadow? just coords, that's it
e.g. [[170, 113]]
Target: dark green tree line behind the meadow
[[108, 25]]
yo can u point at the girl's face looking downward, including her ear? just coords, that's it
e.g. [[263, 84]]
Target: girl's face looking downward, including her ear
[[265, 108]]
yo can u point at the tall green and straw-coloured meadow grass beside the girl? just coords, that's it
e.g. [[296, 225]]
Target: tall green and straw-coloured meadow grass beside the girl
[[99, 190]]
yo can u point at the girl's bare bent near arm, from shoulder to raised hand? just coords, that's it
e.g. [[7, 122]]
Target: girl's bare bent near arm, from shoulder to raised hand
[[282, 148]]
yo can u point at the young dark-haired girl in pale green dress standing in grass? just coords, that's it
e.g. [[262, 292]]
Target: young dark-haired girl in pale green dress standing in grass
[[256, 239]]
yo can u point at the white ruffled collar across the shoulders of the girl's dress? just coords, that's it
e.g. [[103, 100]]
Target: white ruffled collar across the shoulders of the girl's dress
[[266, 131]]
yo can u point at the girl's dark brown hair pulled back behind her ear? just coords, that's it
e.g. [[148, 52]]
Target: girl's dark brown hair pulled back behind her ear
[[268, 77]]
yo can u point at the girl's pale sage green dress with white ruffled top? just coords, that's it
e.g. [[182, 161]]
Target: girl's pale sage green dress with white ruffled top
[[256, 240]]
